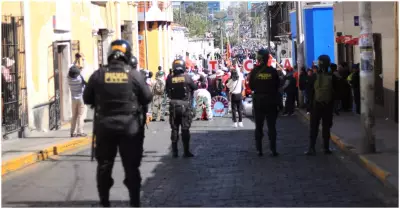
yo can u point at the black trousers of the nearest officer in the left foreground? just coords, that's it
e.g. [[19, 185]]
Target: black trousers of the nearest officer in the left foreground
[[126, 134]]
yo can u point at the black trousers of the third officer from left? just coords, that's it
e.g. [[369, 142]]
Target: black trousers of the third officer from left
[[264, 109]]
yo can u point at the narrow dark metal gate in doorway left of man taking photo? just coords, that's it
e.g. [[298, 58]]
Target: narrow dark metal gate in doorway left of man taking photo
[[55, 108]]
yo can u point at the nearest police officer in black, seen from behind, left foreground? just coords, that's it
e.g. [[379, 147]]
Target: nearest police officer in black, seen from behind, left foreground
[[117, 91]]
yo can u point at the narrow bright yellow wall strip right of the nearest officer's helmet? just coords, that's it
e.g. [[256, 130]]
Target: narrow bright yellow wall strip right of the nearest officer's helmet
[[152, 47]]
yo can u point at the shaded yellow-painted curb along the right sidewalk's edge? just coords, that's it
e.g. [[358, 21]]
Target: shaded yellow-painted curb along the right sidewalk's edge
[[374, 169]]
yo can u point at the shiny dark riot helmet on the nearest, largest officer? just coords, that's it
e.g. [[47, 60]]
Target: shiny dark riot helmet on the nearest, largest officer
[[120, 50]]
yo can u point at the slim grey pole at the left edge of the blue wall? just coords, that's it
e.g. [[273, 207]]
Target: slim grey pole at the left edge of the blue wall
[[300, 45]]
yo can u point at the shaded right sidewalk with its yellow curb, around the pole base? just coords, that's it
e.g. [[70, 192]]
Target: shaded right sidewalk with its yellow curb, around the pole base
[[347, 134]]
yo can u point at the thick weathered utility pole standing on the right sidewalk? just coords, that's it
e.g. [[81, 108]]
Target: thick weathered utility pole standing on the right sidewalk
[[367, 77]]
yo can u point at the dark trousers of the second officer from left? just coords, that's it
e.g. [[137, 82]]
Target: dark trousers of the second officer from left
[[180, 116]]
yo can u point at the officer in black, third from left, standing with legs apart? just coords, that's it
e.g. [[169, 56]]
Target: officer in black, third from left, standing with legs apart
[[264, 82]]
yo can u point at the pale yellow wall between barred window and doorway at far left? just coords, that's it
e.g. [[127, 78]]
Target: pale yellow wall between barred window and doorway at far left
[[41, 36]]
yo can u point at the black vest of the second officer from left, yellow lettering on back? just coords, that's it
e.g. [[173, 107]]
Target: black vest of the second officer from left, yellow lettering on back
[[178, 88]]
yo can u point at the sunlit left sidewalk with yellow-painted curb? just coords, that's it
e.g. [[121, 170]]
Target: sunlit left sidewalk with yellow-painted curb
[[15, 152]]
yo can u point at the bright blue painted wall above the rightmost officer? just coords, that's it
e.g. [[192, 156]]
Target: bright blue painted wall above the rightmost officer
[[319, 34]]
